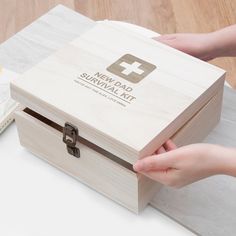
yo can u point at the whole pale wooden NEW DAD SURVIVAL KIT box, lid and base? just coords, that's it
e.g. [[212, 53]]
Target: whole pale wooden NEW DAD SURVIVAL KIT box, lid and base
[[109, 98]]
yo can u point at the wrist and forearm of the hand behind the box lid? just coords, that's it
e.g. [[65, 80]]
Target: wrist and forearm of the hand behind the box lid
[[224, 42]]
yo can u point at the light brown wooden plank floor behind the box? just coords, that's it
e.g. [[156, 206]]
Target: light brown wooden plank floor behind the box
[[163, 16]]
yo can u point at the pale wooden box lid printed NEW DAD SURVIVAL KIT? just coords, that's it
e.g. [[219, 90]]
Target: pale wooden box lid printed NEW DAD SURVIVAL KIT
[[125, 93]]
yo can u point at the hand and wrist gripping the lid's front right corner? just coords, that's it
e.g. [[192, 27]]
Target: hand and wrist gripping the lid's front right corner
[[178, 167]]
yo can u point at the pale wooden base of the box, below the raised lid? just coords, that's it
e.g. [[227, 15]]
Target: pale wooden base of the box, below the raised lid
[[100, 172]]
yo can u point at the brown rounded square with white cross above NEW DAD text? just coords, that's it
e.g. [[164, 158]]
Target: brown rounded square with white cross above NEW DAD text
[[131, 68]]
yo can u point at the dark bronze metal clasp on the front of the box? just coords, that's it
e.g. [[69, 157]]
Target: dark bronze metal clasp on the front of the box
[[70, 135]]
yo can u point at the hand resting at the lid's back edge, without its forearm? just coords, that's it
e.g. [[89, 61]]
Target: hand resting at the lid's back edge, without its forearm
[[202, 46]]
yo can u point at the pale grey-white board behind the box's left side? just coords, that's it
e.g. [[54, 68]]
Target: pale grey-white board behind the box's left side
[[40, 39]]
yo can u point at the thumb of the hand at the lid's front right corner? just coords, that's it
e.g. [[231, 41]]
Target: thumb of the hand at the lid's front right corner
[[155, 162]]
